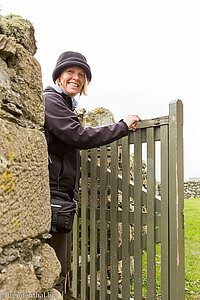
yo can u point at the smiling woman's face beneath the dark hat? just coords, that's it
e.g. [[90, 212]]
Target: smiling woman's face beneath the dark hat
[[72, 80]]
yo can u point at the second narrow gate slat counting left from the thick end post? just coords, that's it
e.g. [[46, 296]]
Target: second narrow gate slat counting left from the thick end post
[[151, 246]]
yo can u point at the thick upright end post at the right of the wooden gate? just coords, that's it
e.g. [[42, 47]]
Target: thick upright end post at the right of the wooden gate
[[176, 202]]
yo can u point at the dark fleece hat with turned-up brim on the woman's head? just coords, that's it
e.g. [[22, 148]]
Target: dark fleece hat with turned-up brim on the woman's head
[[70, 58]]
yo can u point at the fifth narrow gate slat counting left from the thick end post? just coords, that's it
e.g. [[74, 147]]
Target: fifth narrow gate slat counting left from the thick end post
[[114, 222]]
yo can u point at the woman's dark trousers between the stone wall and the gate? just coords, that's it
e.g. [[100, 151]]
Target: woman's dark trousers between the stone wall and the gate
[[61, 243]]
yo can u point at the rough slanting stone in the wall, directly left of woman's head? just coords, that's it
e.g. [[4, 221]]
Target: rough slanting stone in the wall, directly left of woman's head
[[25, 72]]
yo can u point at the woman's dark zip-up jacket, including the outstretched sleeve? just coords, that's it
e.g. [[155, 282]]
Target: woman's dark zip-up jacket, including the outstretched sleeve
[[66, 136]]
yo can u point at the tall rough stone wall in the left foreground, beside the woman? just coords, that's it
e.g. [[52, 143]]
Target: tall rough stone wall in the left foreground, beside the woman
[[28, 265]]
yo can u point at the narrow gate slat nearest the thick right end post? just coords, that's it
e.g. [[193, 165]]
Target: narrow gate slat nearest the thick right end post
[[164, 212]]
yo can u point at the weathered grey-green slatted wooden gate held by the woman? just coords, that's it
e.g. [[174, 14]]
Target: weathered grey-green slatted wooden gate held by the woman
[[121, 220]]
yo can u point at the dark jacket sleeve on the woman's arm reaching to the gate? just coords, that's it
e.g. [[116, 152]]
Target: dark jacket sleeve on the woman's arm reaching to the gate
[[64, 124]]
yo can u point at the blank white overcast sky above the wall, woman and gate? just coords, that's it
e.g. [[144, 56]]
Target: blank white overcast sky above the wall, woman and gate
[[143, 54]]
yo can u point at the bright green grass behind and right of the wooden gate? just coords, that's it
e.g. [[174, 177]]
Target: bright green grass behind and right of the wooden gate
[[192, 254]]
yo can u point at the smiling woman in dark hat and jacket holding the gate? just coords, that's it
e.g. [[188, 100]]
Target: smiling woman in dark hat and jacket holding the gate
[[66, 136]]
